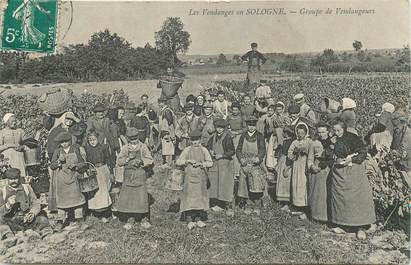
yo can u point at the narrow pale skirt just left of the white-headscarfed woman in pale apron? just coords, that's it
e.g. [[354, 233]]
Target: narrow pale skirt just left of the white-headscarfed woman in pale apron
[[283, 180]]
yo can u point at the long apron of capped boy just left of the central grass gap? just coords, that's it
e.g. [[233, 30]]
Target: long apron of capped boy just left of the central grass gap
[[133, 195]]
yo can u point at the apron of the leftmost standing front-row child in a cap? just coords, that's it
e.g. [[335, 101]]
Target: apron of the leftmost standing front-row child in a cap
[[68, 193]]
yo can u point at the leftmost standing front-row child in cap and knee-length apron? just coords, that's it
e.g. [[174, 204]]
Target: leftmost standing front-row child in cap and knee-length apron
[[65, 162]]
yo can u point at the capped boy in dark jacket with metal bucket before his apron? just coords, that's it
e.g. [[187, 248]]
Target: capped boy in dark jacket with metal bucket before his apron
[[251, 152]]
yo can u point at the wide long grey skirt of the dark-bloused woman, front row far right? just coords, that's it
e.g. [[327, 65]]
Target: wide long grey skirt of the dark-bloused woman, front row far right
[[351, 196]]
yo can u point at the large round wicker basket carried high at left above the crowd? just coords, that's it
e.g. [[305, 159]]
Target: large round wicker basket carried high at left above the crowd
[[56, 102]]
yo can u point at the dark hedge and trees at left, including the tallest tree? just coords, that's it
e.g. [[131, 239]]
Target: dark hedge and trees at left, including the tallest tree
[[106, 57]]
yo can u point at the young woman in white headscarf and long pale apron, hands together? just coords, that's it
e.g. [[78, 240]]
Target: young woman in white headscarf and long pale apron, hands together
[[298, 153]]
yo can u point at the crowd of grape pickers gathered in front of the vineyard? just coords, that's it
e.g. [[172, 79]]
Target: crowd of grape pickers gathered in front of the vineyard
[[229, 154]]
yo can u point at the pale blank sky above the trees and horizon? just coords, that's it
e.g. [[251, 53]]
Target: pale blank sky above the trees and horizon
[[388, 27]]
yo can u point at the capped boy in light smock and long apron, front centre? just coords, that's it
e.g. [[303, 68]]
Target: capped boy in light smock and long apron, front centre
[[194, 202]]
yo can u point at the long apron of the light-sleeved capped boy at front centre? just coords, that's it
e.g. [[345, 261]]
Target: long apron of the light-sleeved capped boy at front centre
[[195, 194]]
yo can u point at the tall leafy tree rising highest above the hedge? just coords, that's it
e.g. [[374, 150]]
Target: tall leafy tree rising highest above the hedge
[[172, 39]]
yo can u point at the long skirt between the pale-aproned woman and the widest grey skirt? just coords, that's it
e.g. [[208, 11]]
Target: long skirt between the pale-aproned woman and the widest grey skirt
[[317, 195]]
